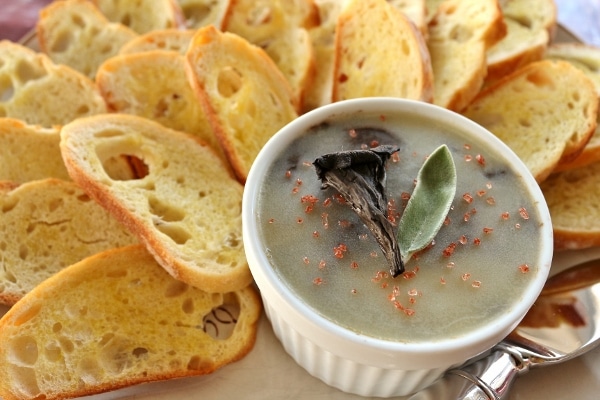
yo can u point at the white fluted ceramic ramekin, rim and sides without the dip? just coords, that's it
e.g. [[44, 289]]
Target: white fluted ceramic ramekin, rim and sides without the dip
[[341, 358]]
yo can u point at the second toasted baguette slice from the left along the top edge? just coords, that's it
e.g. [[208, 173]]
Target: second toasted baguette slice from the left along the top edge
[[143, 16]]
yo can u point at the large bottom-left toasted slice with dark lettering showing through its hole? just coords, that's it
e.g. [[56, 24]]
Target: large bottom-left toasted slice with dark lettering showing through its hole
[[114, 320]]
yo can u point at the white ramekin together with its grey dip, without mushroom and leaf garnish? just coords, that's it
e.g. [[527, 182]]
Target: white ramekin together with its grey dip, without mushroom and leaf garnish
[[325, 283]]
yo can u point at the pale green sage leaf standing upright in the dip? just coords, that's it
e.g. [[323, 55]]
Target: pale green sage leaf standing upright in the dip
[[429, 203]]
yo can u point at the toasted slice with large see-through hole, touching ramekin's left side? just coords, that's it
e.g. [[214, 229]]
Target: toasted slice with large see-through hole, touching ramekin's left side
[[185, 209]]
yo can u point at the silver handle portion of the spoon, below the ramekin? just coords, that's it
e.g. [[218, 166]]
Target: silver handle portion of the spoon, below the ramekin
[[487, 379]]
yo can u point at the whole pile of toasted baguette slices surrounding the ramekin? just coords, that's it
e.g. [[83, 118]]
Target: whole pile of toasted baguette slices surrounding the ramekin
[[157, 133]]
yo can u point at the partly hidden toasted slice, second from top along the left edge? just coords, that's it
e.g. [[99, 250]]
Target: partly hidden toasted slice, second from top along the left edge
[[29, 152]]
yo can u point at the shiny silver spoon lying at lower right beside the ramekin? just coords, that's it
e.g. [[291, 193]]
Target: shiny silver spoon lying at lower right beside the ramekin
[[562, 324]]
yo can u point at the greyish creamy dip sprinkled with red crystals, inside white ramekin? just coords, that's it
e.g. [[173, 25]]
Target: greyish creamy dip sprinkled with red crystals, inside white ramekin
[[476, 269]]
